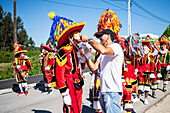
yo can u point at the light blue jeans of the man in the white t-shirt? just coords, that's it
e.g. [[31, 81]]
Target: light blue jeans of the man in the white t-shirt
[[110, 102]]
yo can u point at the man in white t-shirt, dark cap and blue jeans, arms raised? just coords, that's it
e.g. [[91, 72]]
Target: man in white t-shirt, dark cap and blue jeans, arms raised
[[110, 62]]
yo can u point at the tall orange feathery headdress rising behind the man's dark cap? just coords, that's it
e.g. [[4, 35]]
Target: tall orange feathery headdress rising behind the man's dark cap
[[109, 20]]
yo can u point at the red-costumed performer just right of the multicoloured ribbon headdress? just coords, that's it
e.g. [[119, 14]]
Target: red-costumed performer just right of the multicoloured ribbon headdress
[[145, 71]]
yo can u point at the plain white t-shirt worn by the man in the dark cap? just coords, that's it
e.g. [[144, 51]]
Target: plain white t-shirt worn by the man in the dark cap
[[111, 70]]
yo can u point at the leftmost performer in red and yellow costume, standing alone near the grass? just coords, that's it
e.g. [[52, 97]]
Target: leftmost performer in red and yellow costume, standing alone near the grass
[[21, 65]]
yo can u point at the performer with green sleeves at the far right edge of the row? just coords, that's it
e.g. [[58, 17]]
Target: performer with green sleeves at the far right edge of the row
[[164, 60]]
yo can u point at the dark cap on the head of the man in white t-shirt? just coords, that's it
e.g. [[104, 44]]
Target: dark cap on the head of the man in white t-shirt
[[105, 31]]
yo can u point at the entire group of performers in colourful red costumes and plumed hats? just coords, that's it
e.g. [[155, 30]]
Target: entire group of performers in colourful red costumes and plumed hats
[[145, 62]]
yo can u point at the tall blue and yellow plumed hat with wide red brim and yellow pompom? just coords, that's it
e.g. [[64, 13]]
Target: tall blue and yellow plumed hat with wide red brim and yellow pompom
[[61, 29]]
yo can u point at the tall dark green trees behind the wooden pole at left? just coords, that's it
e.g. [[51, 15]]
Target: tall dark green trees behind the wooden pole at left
[[6, 32]]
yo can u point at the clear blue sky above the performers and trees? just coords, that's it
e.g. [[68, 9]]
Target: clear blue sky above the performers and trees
[[34, 14]]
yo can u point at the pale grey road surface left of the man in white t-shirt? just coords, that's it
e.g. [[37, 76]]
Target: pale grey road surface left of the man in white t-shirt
[[38, 102]]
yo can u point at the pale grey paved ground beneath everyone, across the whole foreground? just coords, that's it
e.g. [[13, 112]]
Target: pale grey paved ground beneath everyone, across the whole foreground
[[36, 102]]
